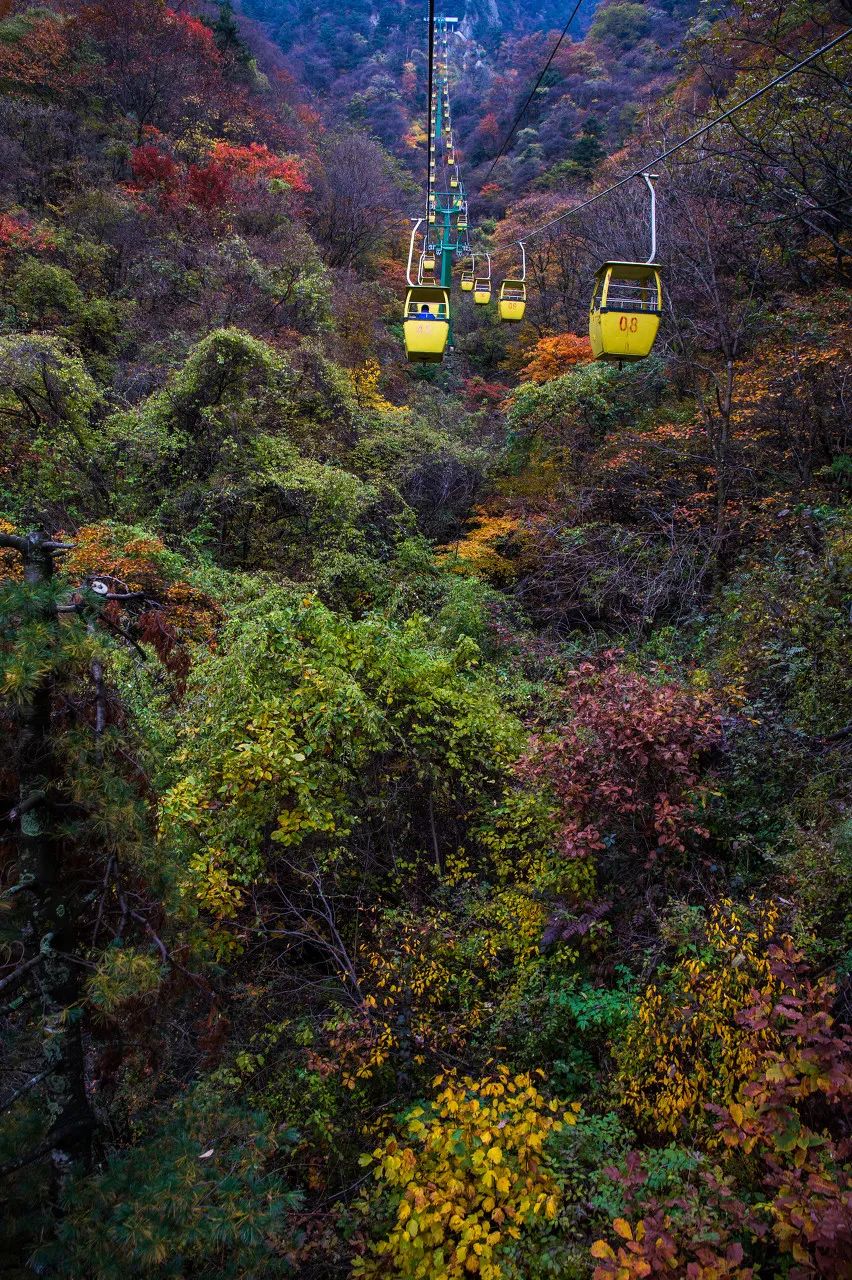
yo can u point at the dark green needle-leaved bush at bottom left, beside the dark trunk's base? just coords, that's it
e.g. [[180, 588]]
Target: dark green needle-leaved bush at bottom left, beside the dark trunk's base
[[196, 1196]]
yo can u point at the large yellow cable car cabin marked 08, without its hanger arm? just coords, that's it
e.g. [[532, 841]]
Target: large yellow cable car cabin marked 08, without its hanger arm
[[626, 310]]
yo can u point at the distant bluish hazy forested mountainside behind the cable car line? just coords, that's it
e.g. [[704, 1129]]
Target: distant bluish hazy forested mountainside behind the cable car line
[[369, 66]]
